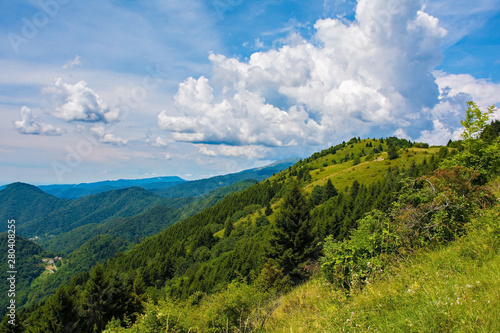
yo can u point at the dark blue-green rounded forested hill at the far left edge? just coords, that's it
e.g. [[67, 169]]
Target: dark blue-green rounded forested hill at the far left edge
[[40, 214]]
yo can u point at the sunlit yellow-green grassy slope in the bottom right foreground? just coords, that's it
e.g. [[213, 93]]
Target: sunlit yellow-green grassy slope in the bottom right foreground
[[451, 288]]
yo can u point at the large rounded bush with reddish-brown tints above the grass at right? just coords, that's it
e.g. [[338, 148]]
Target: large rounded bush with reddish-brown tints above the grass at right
[[437, 207]]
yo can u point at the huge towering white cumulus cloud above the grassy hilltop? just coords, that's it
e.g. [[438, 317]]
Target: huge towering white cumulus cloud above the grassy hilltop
[[373, 72]]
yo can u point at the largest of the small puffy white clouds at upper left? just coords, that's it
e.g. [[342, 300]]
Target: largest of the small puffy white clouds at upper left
[[77, 102]]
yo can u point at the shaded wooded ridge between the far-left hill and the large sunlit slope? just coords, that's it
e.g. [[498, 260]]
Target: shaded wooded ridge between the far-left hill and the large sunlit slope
[[93, 243]]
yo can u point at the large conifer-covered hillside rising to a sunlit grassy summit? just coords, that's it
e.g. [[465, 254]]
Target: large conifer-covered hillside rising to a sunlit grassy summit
[[234, 239]]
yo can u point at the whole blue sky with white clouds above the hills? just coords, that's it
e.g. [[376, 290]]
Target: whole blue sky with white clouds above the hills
[[94, 90]]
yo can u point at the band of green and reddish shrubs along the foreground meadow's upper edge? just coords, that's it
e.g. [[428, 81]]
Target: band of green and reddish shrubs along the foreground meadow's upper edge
[[433, 209]]
